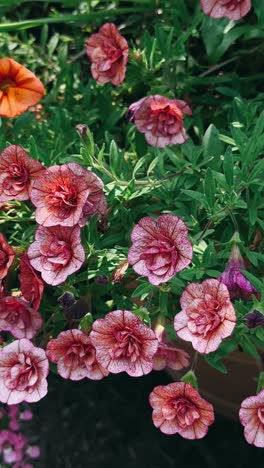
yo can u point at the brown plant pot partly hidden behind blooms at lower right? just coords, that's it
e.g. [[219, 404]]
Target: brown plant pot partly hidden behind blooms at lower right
[[224, 391]]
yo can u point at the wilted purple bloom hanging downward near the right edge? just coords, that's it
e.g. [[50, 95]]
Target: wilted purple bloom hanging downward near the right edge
[[237, 284]]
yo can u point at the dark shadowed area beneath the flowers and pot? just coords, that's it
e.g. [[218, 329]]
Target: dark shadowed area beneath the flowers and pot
[[108, 423]]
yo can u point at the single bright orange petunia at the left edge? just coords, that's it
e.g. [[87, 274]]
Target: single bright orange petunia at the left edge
[[19, 88]]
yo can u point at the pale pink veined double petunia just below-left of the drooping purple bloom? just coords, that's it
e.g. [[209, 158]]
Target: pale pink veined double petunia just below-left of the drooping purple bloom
[[207, 315]]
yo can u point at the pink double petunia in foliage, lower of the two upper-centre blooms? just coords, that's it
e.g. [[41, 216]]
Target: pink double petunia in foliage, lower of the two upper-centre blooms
[[160, 119]]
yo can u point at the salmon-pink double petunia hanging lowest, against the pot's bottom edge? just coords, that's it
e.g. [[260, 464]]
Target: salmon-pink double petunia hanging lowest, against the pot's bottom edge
[[178, 408]]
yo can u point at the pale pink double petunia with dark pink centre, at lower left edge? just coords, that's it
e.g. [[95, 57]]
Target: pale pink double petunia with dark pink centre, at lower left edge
[[23, 372]]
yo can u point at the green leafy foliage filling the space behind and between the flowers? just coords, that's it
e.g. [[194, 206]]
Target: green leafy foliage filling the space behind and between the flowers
[[214, 181]]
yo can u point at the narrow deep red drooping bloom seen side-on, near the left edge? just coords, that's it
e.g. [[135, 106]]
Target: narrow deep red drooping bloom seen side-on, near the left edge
[[31, 286]]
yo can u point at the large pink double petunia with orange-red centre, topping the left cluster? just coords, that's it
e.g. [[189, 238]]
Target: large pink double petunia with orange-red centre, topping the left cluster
[[64, 192]]
